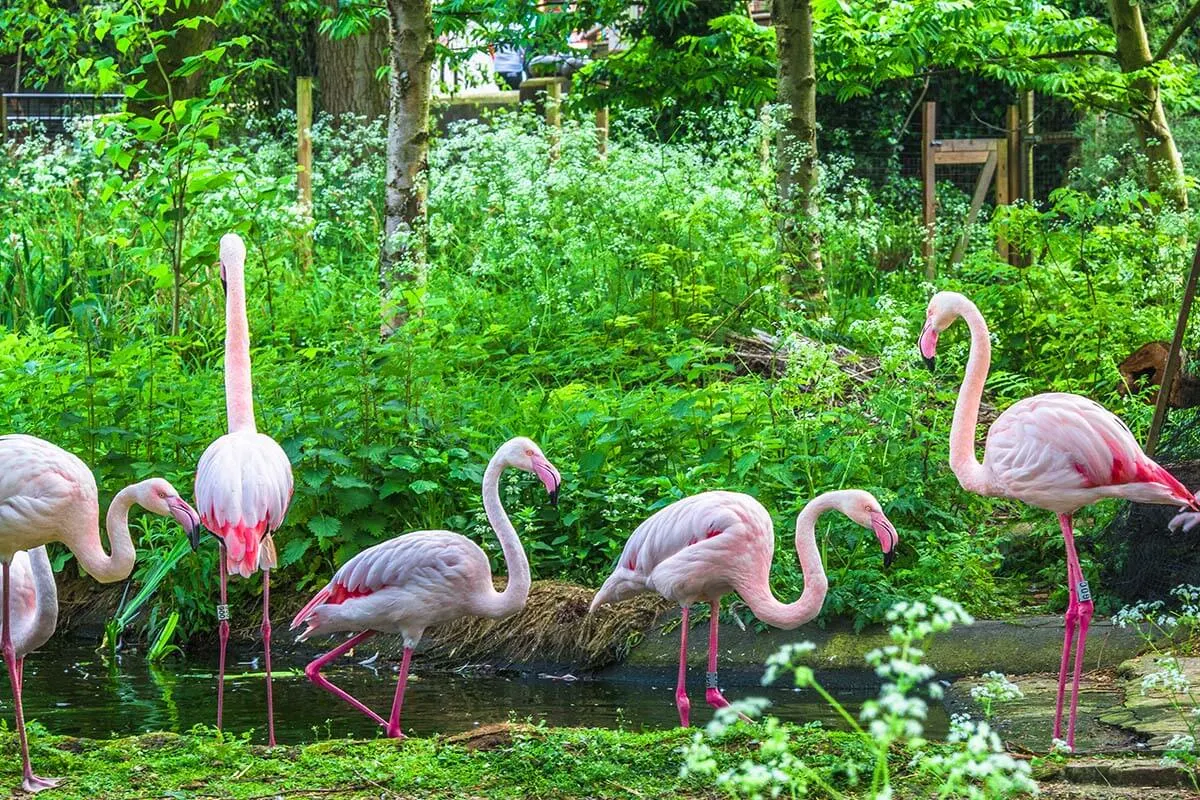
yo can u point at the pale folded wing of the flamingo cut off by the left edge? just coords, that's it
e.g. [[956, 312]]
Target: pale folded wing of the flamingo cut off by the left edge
[[39, 484]]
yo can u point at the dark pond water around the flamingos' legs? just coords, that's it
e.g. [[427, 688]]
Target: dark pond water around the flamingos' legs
[[74, 691]]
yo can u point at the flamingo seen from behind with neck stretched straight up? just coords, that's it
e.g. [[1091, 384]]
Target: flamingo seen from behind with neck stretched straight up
[[244, 479]]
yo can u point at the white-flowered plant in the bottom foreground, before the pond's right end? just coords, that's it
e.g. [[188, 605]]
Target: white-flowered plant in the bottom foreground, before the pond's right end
[[971, 763]]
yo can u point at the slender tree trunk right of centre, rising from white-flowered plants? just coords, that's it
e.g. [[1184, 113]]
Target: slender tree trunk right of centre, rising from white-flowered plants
[[796, 171]]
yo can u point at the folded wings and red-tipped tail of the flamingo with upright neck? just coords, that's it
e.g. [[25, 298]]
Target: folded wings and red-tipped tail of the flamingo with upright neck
[[243, 491]]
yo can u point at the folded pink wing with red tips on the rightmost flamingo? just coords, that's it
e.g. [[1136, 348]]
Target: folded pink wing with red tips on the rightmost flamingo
[[1059, 443]]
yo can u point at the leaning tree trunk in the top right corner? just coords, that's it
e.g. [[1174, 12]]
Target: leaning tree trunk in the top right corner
[[1166, 175]]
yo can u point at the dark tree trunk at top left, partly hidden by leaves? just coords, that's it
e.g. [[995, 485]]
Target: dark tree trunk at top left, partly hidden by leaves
[[161, 89]]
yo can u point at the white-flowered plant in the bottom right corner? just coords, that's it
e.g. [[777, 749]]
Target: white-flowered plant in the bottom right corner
[[1162, 628]]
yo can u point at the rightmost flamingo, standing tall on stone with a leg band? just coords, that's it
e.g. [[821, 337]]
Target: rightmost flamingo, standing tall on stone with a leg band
[[1054, 452]]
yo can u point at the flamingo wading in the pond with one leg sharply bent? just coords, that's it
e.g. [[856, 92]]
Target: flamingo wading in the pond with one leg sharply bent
[[424, 579]]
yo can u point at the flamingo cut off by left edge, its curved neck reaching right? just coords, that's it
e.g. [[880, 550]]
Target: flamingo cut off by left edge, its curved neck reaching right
[[50, 496]]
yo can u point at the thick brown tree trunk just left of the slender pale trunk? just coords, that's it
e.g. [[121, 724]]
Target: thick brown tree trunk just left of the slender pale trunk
[[347, 68]]
